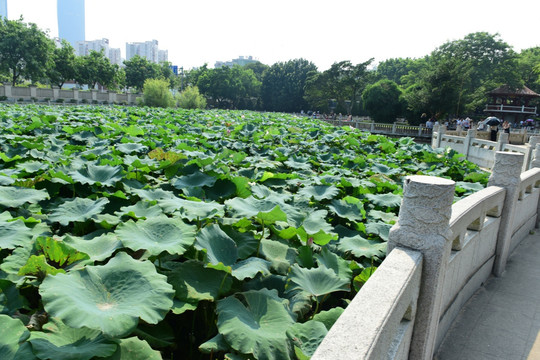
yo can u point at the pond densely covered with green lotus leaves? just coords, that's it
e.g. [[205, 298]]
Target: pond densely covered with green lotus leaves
[[137, 233]]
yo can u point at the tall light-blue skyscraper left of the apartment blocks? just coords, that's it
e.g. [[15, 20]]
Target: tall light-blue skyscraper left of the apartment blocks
[[71, 20]]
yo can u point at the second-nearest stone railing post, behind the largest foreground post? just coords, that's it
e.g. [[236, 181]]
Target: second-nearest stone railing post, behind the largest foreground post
[[506, 173]]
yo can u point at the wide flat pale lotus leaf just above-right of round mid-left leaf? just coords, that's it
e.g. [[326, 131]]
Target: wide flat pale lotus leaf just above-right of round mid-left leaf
[[192, 210]]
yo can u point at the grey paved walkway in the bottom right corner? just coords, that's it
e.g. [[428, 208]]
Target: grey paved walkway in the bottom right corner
[[502, 320]]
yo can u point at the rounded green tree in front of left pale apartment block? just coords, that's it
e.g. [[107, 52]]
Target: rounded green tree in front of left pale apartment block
[[95, 68]]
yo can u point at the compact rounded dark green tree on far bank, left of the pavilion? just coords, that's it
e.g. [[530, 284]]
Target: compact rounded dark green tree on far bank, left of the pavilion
[[383, 101]]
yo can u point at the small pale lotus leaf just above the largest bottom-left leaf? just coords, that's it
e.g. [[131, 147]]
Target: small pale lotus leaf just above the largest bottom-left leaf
[[98, 248]]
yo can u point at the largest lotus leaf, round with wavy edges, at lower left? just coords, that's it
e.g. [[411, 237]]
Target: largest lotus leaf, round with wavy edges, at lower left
[[110, 298]]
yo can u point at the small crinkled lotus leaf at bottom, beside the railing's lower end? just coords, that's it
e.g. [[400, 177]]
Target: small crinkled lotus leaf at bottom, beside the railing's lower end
[[307, 336]]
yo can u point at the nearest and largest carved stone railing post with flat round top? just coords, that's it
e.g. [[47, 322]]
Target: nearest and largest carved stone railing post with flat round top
[[423, 225]]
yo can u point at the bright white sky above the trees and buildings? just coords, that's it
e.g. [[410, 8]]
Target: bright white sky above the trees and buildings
[[196, 32]]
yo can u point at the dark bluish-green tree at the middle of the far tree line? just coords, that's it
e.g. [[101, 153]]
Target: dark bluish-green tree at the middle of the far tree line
[[283, 85]]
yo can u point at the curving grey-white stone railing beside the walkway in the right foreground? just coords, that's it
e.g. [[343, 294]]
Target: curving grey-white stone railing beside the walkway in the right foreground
[[439, 254]]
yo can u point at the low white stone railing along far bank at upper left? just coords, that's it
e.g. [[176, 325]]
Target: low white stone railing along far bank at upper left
[[32, 93]]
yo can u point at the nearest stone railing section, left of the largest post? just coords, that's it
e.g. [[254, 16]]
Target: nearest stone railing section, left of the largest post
[[380, 318]]
